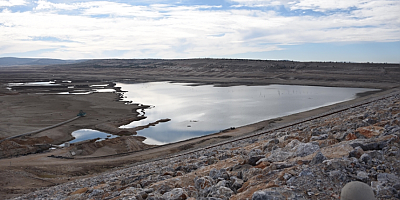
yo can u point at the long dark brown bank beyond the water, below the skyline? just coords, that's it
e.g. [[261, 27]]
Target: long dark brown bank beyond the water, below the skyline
[[214, 71]]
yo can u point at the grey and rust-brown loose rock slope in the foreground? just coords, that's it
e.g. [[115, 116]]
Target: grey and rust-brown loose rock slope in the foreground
[[312, 160]]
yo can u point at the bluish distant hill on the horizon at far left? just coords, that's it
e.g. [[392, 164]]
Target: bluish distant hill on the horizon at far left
[[12, 61]]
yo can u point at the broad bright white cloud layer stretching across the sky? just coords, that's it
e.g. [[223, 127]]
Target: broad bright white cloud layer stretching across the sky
[[169, 31]]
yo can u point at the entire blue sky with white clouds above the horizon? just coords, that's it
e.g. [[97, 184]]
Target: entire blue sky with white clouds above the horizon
[[303, 30]]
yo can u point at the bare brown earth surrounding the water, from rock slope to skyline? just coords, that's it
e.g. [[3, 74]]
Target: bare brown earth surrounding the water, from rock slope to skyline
[[23, 110]]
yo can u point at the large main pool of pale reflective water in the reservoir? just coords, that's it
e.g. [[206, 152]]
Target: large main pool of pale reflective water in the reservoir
[[200, 110]]
